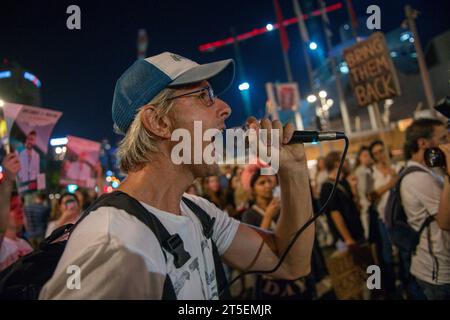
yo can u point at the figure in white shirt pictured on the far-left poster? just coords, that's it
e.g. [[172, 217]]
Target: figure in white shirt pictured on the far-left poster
[[29, 160]]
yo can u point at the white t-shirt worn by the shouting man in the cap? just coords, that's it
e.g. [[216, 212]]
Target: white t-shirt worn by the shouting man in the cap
[[120, 257]]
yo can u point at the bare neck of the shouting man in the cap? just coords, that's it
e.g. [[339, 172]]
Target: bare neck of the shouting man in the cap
[[159, 184]]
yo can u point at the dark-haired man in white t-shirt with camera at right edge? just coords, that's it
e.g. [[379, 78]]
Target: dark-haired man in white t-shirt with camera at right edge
[[426, 193]]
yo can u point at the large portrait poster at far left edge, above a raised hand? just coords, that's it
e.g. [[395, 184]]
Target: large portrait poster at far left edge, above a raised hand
[[29, 129]]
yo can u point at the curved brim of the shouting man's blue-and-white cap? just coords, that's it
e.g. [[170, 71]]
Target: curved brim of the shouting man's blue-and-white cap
[[220, 75]]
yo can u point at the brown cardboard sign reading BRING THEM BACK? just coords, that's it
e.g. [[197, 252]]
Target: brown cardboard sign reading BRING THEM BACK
[[372, 74]]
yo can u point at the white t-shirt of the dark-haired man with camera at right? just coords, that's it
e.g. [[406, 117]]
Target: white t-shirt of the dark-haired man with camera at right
[[420, 193]]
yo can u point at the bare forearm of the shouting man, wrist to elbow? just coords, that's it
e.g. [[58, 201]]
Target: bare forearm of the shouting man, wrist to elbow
[[296, 210]]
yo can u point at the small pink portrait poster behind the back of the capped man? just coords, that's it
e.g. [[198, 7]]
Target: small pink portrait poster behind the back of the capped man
[[80, 162]]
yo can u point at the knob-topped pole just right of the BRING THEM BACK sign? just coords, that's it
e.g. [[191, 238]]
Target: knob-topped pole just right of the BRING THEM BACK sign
[[411, 15]]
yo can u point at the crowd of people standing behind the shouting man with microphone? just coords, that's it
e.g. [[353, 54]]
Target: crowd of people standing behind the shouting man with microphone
[[356, 215]]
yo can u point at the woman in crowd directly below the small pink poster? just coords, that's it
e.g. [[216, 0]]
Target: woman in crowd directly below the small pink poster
[[67, 211]]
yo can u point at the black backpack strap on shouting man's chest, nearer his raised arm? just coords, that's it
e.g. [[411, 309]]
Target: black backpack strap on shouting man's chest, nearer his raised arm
[[208, 227]]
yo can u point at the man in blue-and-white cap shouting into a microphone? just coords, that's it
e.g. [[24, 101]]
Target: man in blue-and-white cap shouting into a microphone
[[119, 257]]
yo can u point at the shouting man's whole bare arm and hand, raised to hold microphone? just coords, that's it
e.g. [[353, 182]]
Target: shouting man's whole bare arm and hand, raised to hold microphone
[[257, 249]]
